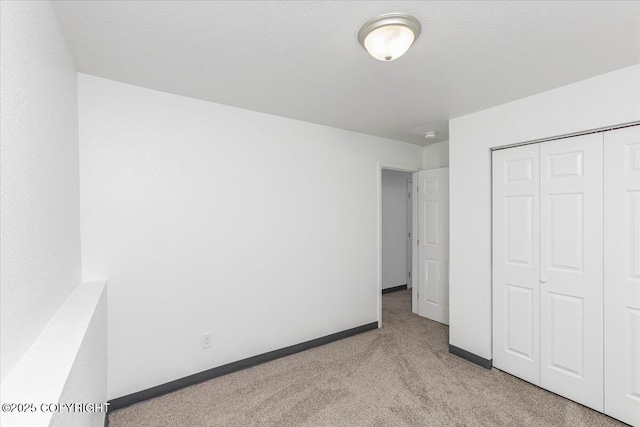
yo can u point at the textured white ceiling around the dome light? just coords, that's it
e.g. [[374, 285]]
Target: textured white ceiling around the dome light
[[302, 59]]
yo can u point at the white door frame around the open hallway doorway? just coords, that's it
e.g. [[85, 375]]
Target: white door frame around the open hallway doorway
[[414, 255]]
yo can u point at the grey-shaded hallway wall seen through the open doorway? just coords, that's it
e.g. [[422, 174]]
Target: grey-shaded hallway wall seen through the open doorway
[[394, 228]]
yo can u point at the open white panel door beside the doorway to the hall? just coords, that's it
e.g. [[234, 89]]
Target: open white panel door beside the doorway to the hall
[[433, 244]]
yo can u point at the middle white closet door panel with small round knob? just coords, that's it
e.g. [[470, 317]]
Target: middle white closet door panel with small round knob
[[571, 270]]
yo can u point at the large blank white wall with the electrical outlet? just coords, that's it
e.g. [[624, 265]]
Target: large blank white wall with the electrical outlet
[[209, 218]]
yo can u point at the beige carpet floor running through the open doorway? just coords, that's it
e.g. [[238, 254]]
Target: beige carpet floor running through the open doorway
[[400, 375]]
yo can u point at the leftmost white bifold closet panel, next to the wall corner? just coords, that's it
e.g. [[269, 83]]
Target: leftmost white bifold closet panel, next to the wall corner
[[516, 268]]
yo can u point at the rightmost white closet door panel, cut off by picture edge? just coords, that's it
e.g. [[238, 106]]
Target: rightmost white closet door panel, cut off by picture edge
[[622, 274]]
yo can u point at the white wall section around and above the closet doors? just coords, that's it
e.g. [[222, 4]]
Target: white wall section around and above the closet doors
[[609, 99]]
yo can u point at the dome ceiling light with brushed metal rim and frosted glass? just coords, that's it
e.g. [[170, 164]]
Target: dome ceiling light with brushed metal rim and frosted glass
[[389, 36]]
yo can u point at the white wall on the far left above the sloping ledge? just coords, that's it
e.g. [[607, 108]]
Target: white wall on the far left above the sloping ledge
[[39, 220]]
